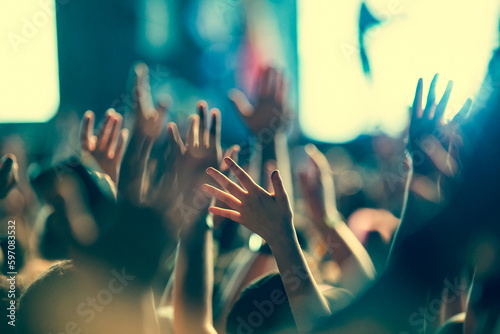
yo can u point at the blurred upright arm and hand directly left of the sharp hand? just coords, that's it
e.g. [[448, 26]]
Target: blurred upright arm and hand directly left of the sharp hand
[[193, 285]]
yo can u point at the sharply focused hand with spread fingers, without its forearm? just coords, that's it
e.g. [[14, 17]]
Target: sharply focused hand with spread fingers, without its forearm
[[267, 214]]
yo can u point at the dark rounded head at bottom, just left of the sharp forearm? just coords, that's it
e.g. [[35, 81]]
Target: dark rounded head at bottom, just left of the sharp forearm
[[262, 308]]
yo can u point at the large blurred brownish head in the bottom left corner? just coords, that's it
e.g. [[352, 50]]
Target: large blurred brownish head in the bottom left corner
[[70, 299]]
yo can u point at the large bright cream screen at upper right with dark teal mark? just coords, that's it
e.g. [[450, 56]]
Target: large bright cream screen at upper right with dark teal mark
[[340, 98]]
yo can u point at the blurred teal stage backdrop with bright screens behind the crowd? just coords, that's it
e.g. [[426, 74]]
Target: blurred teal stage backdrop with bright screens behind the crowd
[[352, 68]]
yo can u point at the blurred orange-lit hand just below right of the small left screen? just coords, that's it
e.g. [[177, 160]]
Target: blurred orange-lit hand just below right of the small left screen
[[108, 145]]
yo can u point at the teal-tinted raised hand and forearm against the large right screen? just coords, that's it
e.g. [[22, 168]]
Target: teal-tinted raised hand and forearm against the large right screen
[[433, 147]]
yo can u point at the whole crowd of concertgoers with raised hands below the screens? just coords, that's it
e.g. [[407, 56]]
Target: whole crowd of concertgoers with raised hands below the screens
[[148, 231]]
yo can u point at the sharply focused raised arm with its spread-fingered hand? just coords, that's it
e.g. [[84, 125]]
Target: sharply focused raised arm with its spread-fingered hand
[[270, 216]]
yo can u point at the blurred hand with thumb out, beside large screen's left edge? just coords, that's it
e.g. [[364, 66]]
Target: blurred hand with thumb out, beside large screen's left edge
[[270, 112]]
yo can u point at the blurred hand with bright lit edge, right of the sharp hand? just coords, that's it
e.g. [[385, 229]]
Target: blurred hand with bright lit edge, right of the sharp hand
[[318, 187]]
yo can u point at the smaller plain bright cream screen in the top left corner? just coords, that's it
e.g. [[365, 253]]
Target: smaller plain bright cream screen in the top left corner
[[28, 61]]
